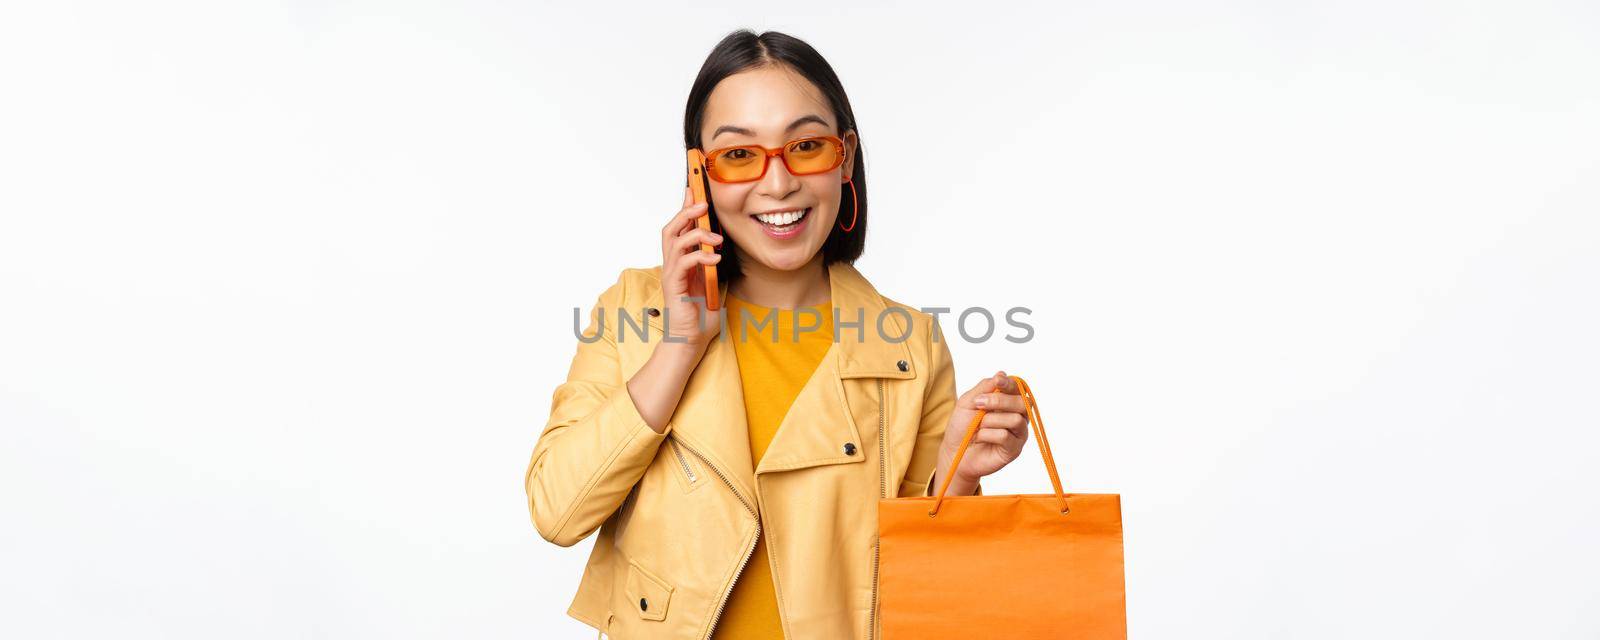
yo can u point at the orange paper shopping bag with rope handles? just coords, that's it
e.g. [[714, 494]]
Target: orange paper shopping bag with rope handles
[[1002, 567]]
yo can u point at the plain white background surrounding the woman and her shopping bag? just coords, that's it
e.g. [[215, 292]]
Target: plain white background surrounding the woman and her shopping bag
[[287, 289]]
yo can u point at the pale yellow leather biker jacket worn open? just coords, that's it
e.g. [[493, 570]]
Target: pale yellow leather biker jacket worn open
[[679, 513]]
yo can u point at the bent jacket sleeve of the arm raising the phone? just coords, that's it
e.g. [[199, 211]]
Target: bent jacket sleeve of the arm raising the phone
[[596, 446]]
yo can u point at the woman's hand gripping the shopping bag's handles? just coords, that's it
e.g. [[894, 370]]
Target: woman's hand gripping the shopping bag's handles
[[999, 439]]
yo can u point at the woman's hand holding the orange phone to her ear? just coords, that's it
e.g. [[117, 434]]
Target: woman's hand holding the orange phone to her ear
[[681, 255]]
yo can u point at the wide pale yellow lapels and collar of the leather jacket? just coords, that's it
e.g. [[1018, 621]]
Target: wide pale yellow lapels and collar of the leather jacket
[[711, 414]]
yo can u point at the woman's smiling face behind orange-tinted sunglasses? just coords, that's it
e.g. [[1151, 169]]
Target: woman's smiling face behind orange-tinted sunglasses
[[782, 220]]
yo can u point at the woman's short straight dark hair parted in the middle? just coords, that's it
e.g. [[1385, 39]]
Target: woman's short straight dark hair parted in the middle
[[745, 50]]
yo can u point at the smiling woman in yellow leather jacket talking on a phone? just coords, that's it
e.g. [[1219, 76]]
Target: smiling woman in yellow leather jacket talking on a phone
[[735, 478]]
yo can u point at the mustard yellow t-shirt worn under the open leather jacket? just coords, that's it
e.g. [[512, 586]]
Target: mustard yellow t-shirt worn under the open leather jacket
[[774, 375]]
